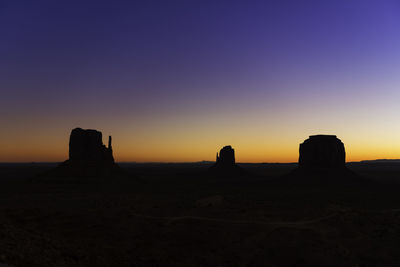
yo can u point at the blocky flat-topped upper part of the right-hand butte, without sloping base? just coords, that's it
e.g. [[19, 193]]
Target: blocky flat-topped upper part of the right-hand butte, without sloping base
[[322, 151]]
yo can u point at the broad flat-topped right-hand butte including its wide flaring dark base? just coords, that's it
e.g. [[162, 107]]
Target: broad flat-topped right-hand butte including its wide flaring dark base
[[322, 169]]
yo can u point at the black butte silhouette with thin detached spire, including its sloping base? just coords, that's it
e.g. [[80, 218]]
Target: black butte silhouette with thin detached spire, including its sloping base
[[88, 156]]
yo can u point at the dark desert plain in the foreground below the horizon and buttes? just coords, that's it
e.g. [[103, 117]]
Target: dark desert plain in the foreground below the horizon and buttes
[[179, 215]]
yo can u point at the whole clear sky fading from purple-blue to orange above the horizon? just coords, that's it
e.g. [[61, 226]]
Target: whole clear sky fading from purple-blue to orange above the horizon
[[175, 81]]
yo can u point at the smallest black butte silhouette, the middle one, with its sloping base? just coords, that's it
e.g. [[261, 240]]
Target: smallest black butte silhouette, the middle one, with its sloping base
[[225, 163]]
